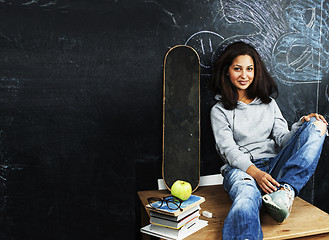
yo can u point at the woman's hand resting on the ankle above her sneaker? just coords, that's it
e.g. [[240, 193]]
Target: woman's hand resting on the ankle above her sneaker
[[263, 179]]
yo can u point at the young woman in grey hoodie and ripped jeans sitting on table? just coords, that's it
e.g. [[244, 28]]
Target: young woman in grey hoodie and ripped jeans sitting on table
[[262, 157]]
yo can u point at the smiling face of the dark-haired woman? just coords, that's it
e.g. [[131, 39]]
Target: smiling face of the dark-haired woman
[[241, 72]]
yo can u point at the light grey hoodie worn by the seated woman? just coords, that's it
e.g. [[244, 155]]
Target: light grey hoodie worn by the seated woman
[[250, 131]]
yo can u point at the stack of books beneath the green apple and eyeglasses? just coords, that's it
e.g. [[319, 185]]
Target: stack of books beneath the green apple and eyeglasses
[[175, 224]]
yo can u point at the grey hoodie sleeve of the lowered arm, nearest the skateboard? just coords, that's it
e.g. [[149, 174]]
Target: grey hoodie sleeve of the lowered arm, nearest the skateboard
[[225, 143]]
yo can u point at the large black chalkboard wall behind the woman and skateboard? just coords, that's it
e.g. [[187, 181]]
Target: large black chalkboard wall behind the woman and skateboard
[[81, 100]]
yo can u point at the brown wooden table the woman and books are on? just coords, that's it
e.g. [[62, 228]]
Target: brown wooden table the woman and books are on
[[304, 222]]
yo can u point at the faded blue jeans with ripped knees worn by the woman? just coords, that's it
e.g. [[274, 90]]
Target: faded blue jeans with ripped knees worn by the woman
[[294, 164]]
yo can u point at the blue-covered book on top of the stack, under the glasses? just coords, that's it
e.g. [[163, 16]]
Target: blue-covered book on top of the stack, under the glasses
[[193, 201]]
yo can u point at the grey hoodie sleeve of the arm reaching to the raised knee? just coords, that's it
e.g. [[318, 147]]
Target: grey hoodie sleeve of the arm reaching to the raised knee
[[280, 131]]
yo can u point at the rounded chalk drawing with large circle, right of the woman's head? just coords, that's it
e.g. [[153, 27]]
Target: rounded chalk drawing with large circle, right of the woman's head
[[296, 56]]
